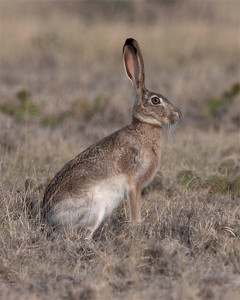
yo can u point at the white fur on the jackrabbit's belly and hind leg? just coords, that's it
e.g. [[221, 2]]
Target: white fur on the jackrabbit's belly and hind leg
[[92, 206]]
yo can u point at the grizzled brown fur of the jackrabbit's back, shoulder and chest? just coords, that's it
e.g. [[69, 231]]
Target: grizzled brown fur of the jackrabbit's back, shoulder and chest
[[92, 165]]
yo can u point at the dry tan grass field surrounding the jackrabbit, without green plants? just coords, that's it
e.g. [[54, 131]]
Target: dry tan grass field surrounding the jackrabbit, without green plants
[[67, 55]]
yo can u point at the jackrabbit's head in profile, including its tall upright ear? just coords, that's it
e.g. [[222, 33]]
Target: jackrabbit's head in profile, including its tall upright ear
[[148, 107]]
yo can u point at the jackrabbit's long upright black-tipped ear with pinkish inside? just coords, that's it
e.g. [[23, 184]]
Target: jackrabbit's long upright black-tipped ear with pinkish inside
[[133, 63]]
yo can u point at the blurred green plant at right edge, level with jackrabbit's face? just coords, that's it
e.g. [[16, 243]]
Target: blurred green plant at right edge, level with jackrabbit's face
[[215, 103]]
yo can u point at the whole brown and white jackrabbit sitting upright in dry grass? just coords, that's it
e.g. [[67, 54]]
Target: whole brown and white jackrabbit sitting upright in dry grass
[[89, 187]]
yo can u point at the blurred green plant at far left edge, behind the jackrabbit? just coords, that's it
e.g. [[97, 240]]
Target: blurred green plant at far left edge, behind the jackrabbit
[[23, 109]]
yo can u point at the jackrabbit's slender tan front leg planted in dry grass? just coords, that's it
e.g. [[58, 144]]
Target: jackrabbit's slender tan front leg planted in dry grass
[[134, 200]]
